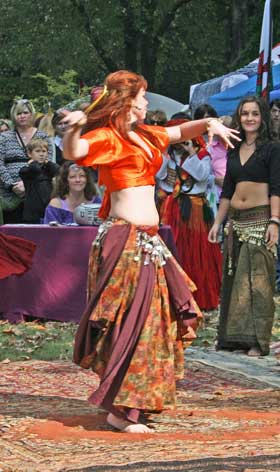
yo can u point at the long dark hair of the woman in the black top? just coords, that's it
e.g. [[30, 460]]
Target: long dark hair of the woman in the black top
[[264, 130]]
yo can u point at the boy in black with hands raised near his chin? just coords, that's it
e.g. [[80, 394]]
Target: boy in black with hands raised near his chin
[[37, 176]]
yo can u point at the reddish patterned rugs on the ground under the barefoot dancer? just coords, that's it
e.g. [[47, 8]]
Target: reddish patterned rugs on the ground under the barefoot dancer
[[222, 418]]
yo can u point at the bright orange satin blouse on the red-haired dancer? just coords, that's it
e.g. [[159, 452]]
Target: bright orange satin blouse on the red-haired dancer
[[121, 163]]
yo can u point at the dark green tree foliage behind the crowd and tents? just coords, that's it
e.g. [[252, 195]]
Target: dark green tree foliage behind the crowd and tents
[[173, 43]]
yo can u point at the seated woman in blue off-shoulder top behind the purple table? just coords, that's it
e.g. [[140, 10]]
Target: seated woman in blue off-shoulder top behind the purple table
[[74, 186]]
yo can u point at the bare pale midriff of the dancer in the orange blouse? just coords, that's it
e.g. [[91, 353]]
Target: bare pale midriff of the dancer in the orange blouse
[[136, 205]]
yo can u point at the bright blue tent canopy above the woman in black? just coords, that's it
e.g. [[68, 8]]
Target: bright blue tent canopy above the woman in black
[[225, 103]]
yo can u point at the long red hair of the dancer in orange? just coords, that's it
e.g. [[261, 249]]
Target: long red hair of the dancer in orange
[[115, 106]]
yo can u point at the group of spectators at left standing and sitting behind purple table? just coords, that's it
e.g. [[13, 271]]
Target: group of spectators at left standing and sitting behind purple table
[[37, 185]]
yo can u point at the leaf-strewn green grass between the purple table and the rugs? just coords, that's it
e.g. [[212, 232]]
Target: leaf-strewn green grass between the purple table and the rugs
[[54, 340]]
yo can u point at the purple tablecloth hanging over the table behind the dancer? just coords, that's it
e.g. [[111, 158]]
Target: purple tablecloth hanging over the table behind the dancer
[[55, 287]]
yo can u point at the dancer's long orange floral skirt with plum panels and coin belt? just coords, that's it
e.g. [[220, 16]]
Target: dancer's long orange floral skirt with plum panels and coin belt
[[140, 316]]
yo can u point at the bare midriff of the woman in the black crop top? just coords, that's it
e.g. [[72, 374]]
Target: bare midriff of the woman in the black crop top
[[249, 195]]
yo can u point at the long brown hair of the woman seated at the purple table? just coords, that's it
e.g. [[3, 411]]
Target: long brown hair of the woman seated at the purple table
[[61, 189]]
